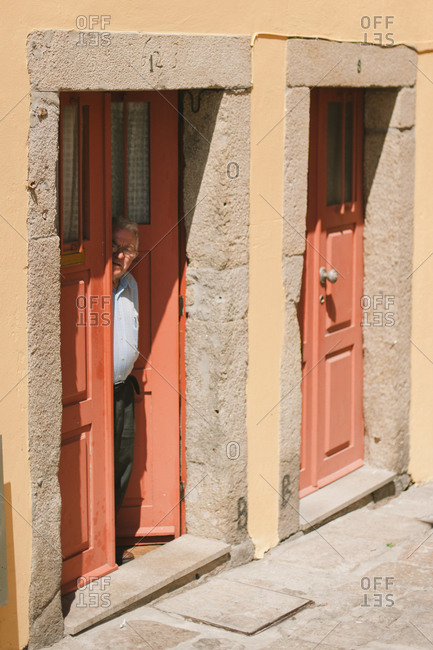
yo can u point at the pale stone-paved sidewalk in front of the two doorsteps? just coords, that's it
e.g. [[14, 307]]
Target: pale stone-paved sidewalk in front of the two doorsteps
[[369, 575]]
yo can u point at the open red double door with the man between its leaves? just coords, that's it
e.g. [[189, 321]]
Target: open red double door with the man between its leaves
[[118, 157]]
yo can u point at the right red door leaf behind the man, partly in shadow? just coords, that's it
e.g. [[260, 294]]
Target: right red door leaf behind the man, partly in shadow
[[145, 154]]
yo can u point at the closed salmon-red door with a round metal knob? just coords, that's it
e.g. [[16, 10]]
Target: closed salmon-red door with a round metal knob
[[330, 311]]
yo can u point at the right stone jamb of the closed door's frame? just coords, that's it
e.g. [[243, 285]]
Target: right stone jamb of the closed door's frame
[[389, 176]]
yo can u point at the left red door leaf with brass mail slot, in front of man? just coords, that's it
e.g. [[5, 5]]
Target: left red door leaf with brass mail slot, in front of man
[[86, 461]]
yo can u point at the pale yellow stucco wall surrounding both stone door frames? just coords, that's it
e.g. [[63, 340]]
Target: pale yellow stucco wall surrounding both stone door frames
[[411, 24]]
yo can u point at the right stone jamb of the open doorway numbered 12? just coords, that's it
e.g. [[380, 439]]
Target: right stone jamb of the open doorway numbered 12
[[216, 204]]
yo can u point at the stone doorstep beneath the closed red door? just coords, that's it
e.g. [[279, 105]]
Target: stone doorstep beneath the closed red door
[[334, 499]]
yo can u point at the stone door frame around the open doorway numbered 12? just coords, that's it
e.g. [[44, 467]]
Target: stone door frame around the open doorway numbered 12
[[220, 68]]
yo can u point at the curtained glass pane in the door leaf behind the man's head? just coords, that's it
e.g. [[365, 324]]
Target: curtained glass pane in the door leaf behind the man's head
[[130, 161]]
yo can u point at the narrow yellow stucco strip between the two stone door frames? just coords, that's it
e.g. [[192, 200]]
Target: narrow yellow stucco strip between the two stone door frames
[[266, 304]]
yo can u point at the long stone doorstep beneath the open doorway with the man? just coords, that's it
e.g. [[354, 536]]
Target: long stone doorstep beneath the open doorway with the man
[[144, 579]]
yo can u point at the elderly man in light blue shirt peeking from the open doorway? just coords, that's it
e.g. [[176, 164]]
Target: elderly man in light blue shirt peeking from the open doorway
[[125, 352]]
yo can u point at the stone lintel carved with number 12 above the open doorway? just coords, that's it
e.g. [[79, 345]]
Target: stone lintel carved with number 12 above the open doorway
[[90, 60]]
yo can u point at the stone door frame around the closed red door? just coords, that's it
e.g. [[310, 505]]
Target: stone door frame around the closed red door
[[388, 75]]
